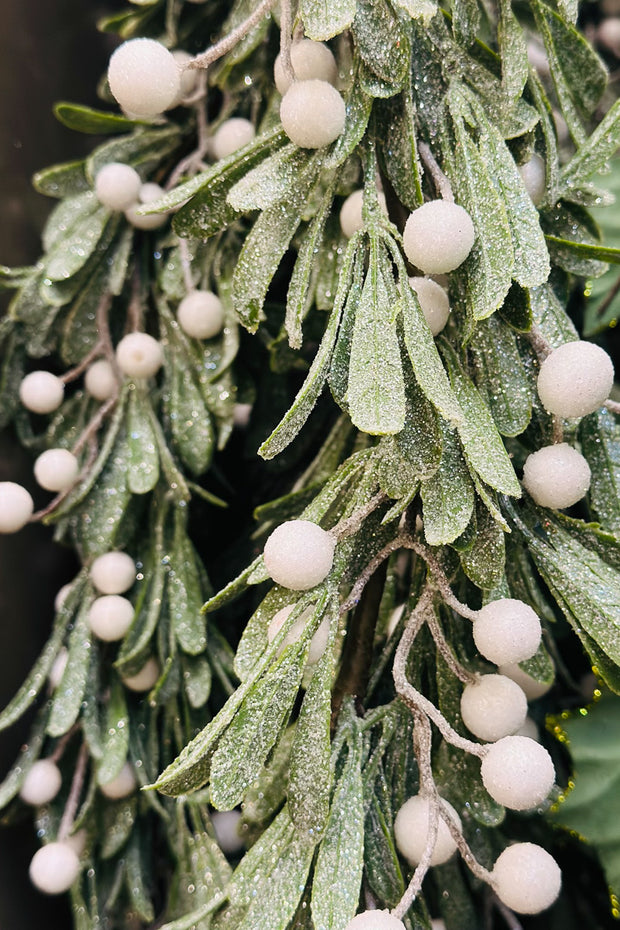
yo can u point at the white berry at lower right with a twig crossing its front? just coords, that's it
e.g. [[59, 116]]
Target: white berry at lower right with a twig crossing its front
[[411, 830]]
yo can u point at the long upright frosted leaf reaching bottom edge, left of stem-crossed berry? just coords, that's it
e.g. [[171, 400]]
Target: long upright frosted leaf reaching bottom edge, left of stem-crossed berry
[[340, 862]]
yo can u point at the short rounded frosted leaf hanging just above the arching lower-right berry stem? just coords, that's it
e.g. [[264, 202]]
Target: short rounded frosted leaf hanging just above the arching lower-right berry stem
[[447, 497]]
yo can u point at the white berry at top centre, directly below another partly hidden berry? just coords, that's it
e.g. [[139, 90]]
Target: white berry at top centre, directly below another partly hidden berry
[[312, 113]]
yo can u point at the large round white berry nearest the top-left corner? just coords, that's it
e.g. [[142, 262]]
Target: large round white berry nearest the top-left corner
[[144, 77]]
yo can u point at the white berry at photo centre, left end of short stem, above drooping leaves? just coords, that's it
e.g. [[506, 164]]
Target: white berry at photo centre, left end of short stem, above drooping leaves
[[299, 554]]
